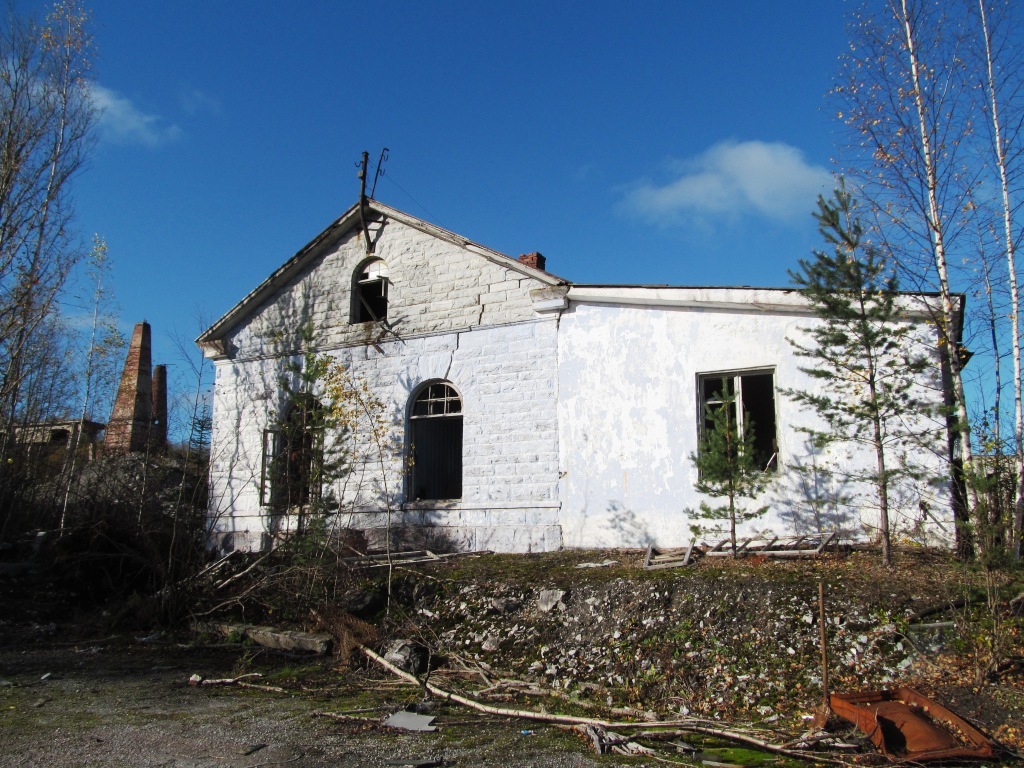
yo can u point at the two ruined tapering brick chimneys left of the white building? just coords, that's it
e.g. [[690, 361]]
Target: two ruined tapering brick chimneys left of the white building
[[139, 419]]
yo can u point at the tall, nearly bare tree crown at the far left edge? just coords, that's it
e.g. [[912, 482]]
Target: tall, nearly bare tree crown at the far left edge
[[47, 118]]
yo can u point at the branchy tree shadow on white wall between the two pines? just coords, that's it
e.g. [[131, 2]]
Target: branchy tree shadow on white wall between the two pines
[[818, 500]]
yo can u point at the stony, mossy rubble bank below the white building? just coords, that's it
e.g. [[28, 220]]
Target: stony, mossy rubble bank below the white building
[[715, 642]]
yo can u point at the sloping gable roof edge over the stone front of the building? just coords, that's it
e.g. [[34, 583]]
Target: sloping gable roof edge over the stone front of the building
[[350, 221]]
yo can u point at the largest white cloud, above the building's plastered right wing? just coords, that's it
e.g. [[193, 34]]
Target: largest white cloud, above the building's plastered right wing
[[733, 179]]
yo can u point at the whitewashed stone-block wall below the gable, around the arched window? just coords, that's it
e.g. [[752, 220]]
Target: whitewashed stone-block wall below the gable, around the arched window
[[506, 376]]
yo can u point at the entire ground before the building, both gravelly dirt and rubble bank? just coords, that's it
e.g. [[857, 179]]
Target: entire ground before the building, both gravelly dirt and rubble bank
[[737, 643]]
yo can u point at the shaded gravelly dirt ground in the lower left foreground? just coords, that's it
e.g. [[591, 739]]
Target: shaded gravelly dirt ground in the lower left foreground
[[124, 703]]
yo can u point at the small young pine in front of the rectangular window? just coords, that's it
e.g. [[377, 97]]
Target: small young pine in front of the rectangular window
[[727, 463]]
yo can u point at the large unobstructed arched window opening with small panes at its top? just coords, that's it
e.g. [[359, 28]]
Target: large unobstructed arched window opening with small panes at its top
[[436, 444]]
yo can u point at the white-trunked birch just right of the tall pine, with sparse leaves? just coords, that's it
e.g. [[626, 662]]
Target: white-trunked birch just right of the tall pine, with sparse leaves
[[905, 96]]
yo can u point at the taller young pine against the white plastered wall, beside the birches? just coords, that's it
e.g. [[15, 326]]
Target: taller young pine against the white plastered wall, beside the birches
[[865, 352]]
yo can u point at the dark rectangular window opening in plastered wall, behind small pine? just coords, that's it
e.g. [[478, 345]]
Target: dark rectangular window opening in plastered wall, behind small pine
[[752, 395]]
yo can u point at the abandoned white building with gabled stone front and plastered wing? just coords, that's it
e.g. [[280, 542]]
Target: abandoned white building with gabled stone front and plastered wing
[[525, 412]]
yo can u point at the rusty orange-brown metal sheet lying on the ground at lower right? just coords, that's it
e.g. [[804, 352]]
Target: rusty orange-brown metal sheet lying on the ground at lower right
[[908, 726]]
